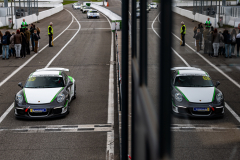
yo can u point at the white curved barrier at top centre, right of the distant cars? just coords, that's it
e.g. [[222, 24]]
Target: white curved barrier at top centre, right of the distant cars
[[111, 15]]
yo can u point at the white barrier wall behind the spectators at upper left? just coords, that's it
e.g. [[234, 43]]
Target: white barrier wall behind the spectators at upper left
[[33, 18]]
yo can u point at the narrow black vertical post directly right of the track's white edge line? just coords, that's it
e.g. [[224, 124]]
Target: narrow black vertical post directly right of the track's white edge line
[[125, 6]]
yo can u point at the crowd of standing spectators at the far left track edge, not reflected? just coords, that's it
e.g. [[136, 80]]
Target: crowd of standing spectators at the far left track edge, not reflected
[[18, 44]]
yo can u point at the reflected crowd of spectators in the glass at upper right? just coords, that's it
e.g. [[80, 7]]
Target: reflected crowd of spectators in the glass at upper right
[[216, 42]]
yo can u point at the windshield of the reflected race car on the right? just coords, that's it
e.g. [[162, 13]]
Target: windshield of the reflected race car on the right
[[193, 81]]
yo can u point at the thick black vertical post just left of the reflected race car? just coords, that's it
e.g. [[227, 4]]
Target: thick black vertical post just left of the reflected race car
[[165, 61]]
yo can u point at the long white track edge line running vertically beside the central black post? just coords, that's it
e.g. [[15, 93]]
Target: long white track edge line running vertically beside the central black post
[[110, 135]]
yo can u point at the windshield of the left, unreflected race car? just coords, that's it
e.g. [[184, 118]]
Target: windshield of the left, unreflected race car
[[44, 82]]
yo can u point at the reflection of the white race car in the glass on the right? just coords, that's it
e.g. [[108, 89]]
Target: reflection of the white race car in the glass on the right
[[194, 95]]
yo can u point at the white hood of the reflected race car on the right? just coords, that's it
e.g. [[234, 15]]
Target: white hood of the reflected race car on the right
[[198, 94]]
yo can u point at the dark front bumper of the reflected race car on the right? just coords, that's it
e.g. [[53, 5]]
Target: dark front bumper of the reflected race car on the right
[[190, 110]]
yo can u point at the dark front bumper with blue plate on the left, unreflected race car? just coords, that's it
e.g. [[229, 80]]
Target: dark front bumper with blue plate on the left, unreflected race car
[[26, 111]]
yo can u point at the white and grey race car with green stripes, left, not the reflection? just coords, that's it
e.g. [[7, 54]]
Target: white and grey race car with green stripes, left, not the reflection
[[47, 93]]
